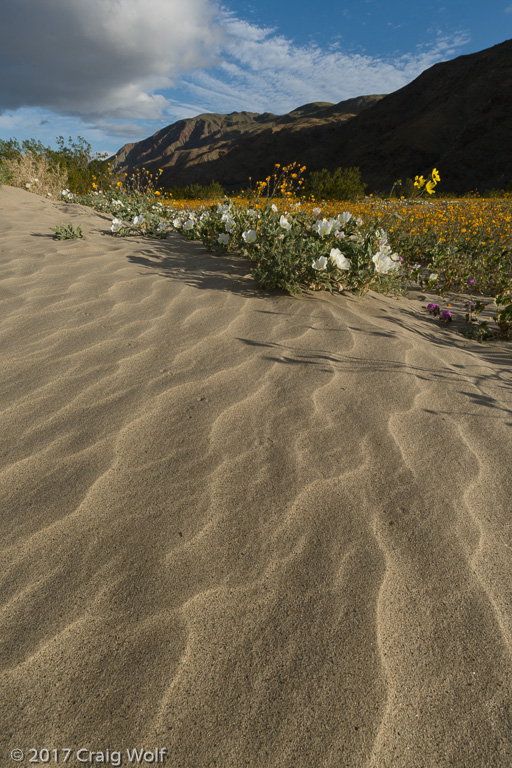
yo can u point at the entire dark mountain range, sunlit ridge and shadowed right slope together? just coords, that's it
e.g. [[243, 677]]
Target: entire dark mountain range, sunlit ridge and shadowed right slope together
[[456, 116]]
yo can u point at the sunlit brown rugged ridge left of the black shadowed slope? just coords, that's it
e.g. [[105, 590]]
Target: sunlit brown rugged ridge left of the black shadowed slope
[[234, 148]]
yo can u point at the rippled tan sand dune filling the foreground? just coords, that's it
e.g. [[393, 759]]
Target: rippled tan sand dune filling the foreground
[[244, 529]]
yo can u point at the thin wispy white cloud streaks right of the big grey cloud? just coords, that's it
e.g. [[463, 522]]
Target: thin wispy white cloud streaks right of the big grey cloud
[[263, 71]]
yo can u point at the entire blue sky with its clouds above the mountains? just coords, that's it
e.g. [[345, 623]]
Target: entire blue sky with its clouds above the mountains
[[115, 71]]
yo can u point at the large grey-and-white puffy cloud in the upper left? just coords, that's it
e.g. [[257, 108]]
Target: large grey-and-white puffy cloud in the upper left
[[103, 58]]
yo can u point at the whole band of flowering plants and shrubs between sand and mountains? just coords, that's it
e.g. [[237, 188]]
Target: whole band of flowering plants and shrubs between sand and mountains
[[315, 232]]
